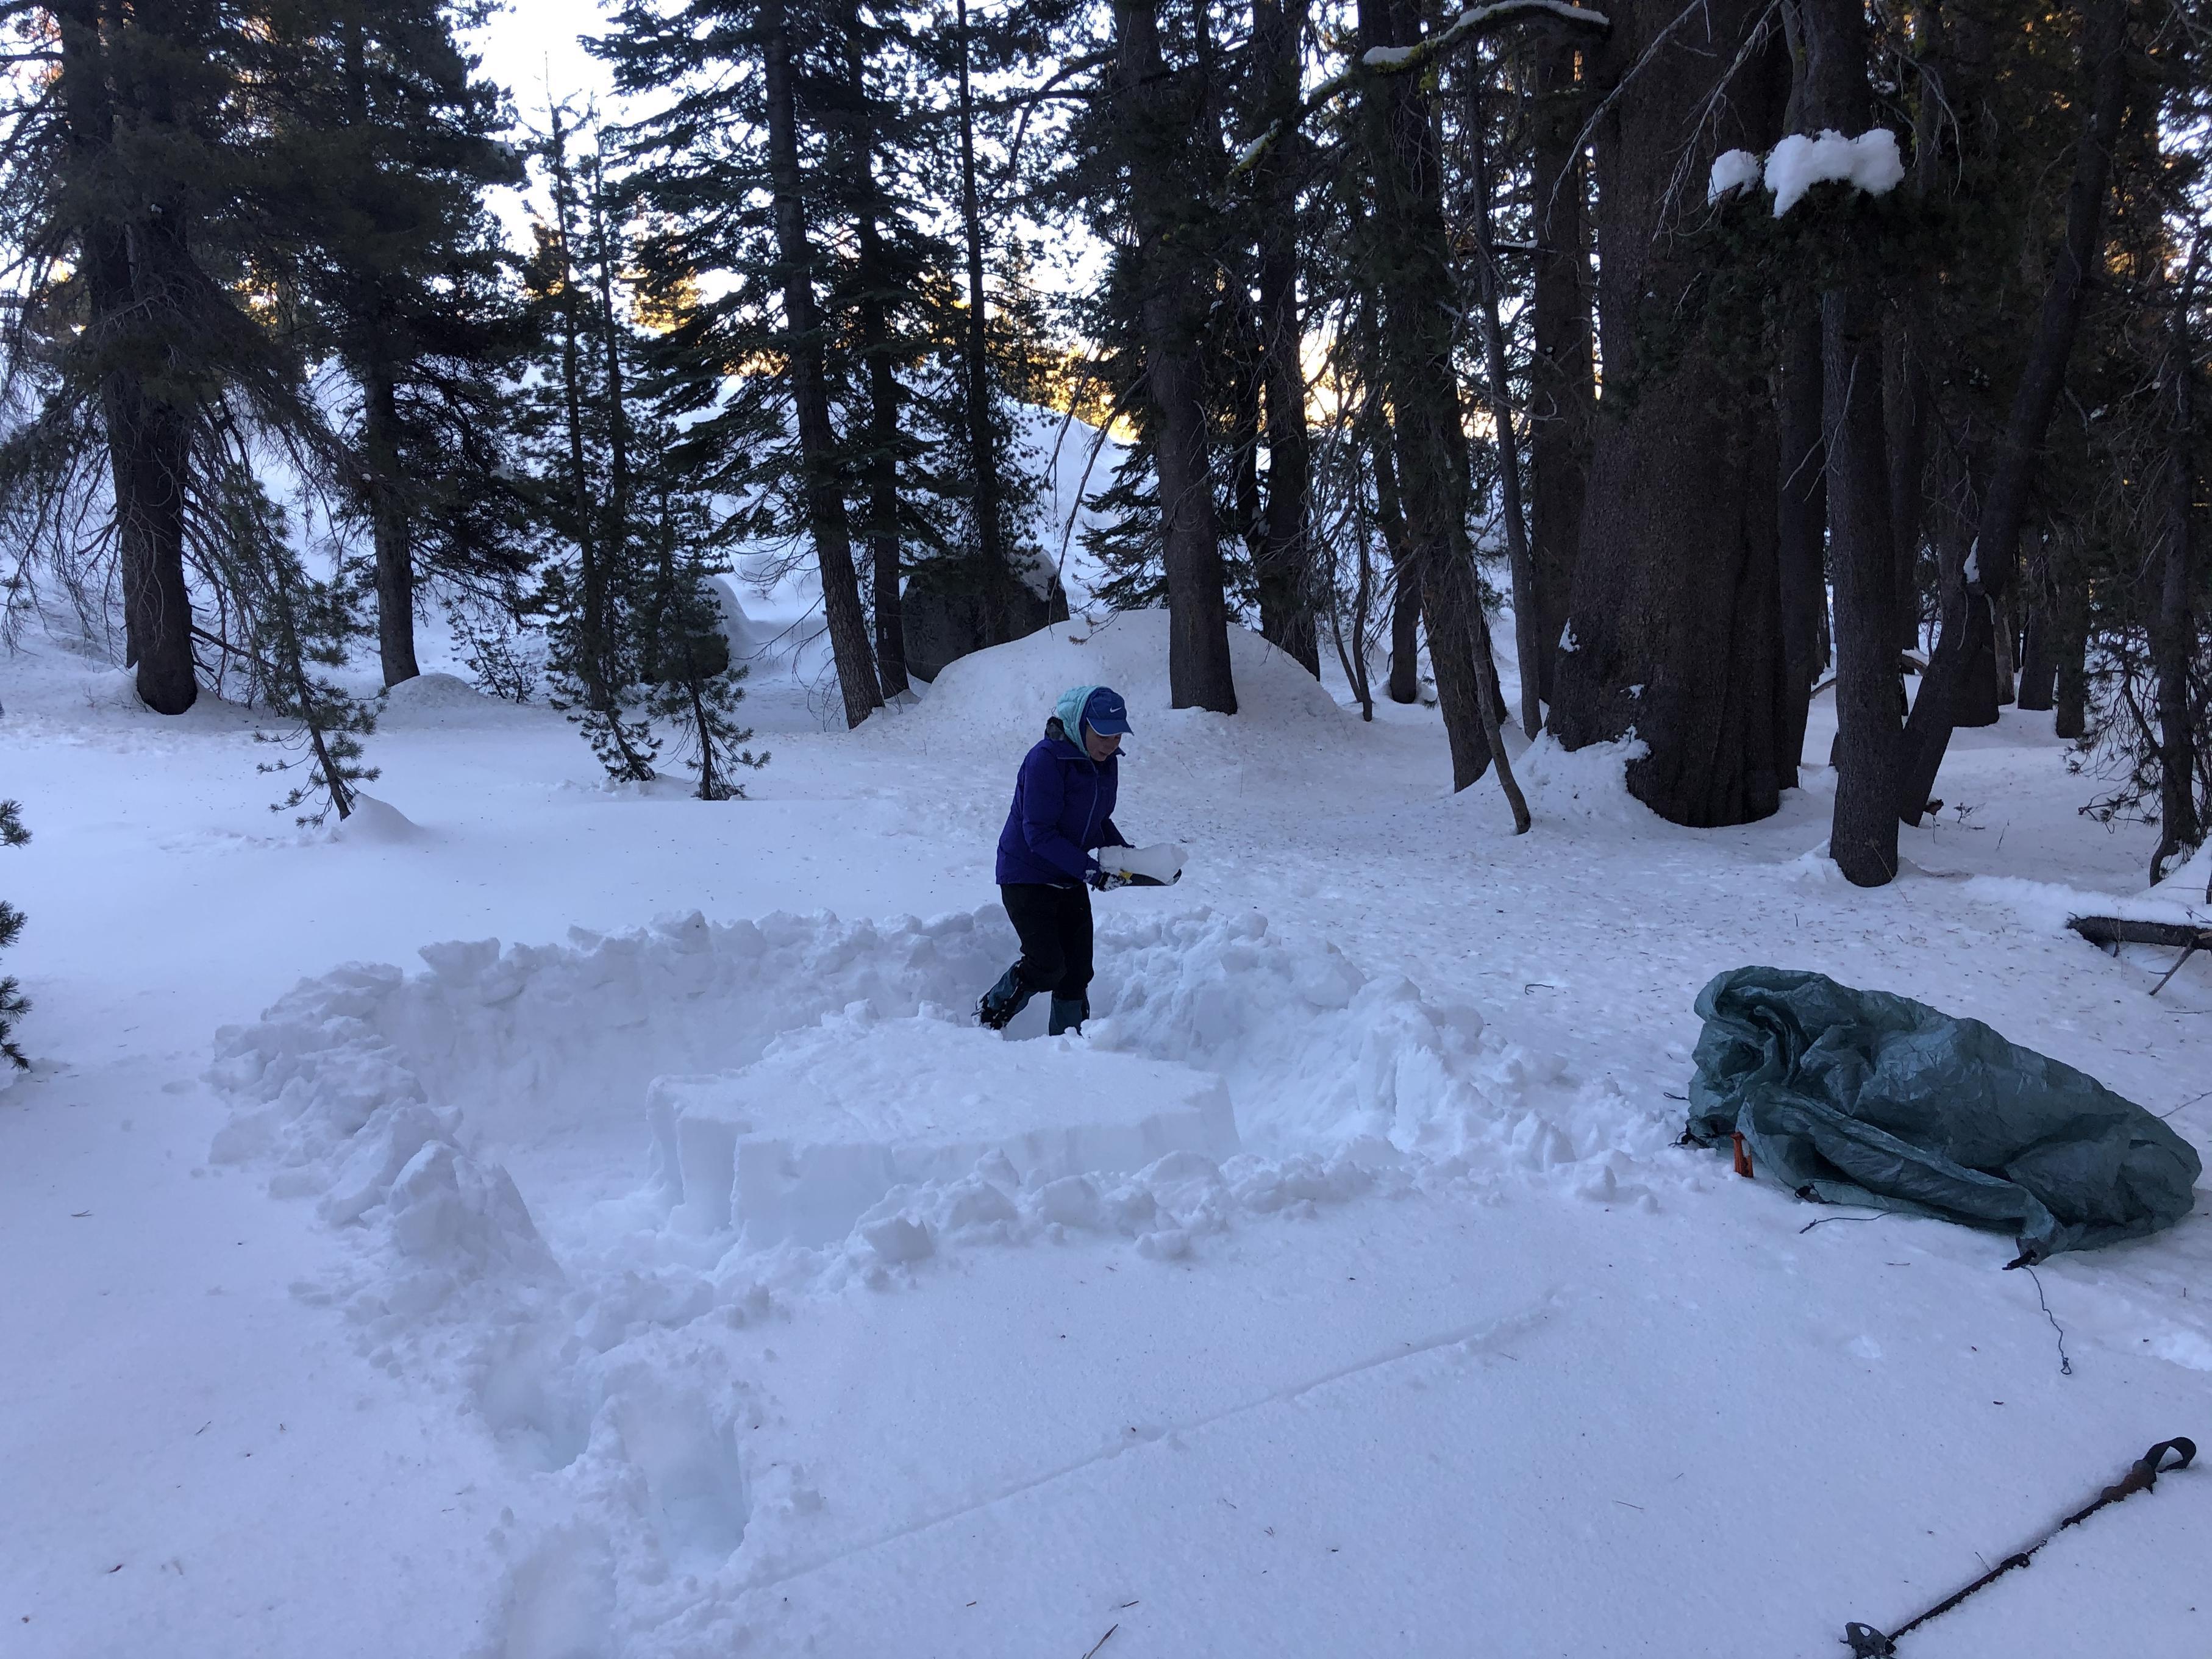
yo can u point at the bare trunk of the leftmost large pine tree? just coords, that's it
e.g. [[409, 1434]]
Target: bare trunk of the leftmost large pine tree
[[132, 258]]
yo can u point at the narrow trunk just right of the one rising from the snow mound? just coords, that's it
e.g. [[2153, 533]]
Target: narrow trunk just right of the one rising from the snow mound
[[1286, 556]]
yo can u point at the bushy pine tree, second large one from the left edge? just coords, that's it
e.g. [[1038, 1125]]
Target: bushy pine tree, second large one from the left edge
[[388, 149]]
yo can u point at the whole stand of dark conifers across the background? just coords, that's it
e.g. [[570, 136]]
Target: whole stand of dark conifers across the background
[[1419, 324]]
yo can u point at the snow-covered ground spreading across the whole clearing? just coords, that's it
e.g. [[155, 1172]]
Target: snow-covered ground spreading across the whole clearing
[[388, 1322]]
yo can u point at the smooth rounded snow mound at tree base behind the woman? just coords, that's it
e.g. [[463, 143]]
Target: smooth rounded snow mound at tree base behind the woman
[[1003, 696]]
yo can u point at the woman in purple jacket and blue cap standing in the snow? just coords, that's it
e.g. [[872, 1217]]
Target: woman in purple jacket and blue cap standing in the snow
[[1063, 808]]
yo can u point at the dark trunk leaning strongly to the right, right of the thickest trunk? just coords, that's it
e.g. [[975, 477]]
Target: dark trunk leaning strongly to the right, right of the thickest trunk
[[2105, 83]]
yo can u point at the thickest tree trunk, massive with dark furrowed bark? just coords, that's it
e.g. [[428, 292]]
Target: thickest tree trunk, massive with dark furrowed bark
[[1676, 629]]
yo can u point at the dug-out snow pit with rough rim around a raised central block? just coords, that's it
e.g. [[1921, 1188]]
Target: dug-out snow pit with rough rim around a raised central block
[[561, 1167]]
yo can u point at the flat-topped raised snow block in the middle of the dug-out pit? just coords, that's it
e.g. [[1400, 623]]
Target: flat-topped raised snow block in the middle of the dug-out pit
[[831, 1120]]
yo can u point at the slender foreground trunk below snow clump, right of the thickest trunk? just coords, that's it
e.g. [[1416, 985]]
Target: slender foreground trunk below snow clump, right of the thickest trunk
[[1864, 835]]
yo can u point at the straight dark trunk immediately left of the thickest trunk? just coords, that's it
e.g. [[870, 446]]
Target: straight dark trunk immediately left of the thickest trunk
[[1563, 386]]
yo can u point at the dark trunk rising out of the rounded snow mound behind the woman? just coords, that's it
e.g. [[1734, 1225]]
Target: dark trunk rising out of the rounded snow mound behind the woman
[[1171, 258]]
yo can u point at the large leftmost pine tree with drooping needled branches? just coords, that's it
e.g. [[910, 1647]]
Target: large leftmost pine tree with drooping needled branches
[[129, 182]]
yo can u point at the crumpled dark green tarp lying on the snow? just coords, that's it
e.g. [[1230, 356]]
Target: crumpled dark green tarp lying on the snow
[[1870, 1098]]
